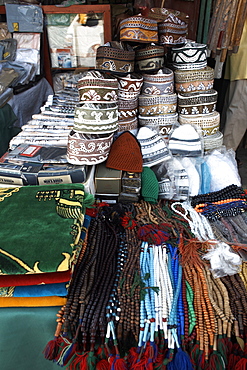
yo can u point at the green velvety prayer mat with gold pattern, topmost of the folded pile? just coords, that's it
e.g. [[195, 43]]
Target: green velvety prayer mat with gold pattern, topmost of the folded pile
[[42, 227]]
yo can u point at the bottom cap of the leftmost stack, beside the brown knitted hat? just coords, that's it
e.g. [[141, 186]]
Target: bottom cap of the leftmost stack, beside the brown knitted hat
[[88, 151]]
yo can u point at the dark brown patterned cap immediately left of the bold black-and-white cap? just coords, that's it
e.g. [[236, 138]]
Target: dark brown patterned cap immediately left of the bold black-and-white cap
[[150, 58]]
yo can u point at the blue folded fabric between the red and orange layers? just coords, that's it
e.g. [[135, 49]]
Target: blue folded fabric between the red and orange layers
[[44, 290]]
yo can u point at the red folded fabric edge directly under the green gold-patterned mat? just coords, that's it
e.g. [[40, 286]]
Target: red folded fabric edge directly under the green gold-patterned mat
[[32, 279]]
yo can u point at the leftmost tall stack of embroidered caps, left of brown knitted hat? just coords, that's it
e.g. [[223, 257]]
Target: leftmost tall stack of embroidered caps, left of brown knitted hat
[[95, 120]]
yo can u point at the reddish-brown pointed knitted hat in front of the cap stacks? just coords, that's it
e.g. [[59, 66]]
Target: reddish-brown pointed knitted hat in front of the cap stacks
[[125, 154]]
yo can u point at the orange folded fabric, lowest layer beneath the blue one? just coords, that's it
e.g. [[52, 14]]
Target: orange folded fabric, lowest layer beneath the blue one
[[32, 301]]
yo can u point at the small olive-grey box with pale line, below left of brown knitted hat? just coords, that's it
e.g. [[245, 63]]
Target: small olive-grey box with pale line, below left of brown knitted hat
[[107, 180]]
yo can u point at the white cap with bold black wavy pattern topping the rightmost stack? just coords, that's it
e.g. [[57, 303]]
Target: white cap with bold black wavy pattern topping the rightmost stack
[[191, 56]]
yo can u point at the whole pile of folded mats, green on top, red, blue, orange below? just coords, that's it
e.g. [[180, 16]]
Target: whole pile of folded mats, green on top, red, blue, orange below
[[43, 244]]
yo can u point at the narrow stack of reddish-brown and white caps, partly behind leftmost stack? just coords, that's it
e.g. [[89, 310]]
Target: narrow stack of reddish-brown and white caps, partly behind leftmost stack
[[129, 88]]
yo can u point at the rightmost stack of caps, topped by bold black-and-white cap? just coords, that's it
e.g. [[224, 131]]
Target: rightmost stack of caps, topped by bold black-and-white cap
[[196, 97]]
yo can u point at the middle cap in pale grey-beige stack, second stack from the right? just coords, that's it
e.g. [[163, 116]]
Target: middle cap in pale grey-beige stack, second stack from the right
[[157, 104]]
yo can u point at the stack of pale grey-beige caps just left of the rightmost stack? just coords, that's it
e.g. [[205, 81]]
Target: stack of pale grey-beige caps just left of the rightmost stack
[[158, 102]]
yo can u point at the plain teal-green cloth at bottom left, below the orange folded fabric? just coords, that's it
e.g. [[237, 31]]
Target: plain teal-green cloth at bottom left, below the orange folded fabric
[[24, 335]]
